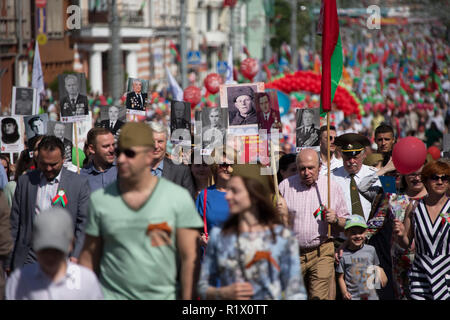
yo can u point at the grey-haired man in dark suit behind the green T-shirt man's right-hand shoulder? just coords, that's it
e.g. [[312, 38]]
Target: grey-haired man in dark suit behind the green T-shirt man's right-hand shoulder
[[162, 166]]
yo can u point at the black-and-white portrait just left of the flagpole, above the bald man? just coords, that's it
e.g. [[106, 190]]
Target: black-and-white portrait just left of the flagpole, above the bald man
[[307, 128]]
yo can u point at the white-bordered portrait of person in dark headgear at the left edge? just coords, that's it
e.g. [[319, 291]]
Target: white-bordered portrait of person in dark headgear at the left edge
[[11, 134]]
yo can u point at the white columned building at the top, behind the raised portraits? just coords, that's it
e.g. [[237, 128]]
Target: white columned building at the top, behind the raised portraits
[[149, 28]]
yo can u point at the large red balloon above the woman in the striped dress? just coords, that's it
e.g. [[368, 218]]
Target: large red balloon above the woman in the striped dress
[[409, 155]]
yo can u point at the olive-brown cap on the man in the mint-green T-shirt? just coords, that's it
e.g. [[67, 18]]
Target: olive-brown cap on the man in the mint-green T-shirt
[[134, 134]]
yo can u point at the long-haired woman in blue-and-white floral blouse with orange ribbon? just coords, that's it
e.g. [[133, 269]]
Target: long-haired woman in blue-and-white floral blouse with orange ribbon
[[253, 255]]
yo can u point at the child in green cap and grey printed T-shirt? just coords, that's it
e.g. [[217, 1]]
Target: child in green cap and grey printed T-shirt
[[358, 271]]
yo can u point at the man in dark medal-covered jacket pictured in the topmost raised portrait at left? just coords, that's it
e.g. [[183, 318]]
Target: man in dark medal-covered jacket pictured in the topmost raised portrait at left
[[74, 104]]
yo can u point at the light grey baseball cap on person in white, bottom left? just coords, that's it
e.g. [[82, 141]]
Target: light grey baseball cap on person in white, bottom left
[[53, 228]]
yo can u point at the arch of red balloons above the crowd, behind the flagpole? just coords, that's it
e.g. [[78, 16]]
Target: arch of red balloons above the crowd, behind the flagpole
[[311, 82]]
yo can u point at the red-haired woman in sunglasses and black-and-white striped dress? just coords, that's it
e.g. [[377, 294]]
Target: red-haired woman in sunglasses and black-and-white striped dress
[[428, 224]]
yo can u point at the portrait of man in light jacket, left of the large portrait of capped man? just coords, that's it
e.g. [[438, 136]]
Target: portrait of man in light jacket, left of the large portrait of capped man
[[214, 127]]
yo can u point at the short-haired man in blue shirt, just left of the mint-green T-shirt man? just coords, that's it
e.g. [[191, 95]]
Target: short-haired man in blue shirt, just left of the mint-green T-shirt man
[[101, 170]]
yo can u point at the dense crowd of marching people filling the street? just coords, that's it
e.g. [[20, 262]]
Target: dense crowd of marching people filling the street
[[137, 224]]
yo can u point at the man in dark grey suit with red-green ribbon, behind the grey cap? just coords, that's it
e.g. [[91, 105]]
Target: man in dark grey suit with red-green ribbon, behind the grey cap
[[49, 186]]
